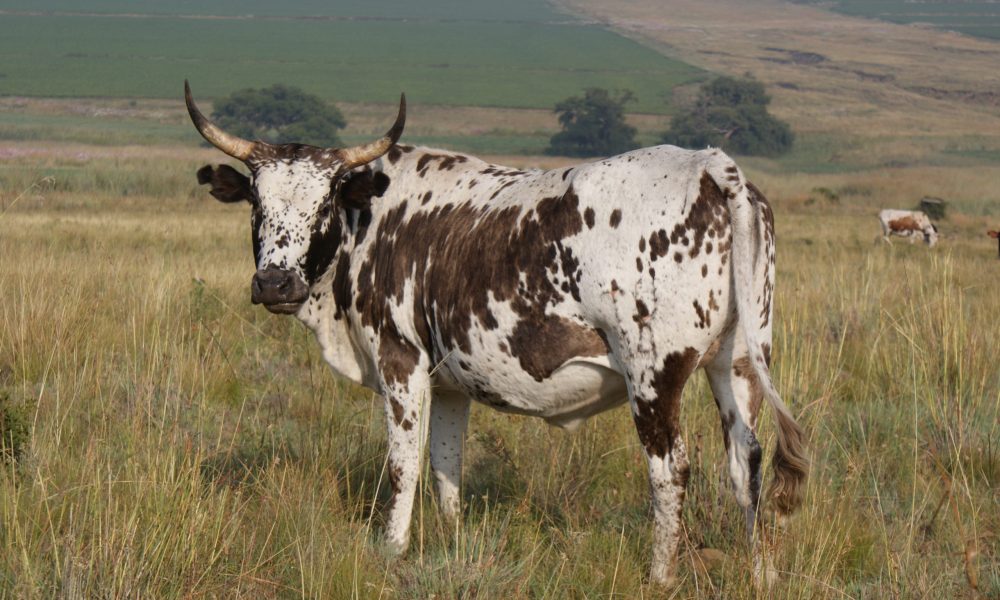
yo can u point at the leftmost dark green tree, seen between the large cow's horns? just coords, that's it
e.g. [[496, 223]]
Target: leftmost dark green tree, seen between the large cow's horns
[[279, 114]]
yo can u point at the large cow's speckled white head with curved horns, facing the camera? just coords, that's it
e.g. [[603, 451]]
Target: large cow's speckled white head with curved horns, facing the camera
[[297, 195]]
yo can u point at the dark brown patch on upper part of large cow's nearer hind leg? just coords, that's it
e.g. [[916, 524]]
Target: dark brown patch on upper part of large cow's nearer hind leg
[[657, 419]]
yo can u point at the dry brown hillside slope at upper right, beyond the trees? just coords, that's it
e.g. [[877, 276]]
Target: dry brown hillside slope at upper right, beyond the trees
[[860, 92]]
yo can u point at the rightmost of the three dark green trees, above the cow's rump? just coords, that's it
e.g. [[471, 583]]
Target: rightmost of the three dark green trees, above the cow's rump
[[731, 114]]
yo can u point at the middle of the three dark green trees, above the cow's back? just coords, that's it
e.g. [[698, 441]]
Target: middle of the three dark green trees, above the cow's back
[[593, 125]]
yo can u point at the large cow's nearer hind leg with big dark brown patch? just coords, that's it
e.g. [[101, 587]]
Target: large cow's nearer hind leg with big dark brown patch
[[655, 396]]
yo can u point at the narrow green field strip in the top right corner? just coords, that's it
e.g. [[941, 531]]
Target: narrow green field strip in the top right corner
[[978, 18]]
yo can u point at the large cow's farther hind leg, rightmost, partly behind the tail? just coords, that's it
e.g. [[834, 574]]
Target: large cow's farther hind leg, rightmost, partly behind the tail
[[739, 396]]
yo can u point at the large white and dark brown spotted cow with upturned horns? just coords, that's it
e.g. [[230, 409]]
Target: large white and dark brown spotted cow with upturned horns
[[437, 280]]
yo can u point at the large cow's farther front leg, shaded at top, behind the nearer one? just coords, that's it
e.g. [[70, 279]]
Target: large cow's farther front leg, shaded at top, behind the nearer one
[[449, 419]]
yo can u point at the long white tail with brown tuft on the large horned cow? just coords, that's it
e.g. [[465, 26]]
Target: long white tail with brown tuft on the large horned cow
[[790, 463]]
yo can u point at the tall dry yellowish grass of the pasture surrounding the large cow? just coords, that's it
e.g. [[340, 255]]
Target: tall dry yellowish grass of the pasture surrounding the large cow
[[182, 443]]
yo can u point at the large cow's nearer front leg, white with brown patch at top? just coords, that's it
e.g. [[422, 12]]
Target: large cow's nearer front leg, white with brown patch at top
[[405, 386]]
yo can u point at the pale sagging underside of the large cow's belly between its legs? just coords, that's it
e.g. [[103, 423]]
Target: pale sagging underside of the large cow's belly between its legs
[[577, 390]]
